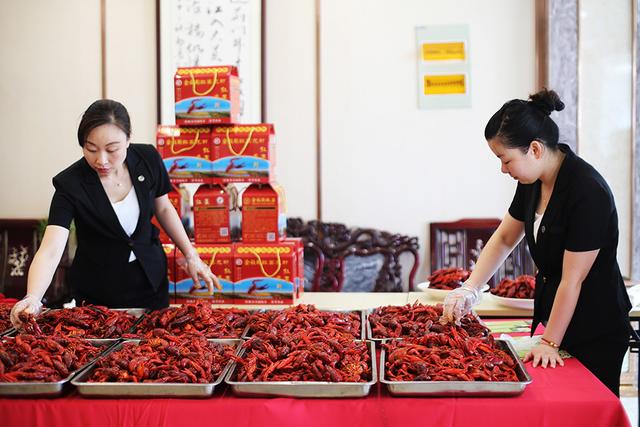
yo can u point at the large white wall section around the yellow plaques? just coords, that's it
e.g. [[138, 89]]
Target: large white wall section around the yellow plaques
[[387, 164]]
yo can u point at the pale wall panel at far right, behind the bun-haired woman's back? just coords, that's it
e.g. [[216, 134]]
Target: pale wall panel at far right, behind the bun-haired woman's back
[[605, 87]]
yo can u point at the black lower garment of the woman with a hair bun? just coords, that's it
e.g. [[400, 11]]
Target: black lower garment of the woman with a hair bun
[[603, 357]]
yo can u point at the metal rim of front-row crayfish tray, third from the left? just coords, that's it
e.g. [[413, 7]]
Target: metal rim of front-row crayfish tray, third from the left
[[304, 388]]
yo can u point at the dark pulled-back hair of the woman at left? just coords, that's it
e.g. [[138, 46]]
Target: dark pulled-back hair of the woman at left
[[102, 112]]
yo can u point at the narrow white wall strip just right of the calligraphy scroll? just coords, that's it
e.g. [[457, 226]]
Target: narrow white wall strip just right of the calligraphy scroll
[[291, 99]]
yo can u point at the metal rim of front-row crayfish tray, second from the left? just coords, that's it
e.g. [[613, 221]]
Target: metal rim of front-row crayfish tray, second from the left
[[114, 389]]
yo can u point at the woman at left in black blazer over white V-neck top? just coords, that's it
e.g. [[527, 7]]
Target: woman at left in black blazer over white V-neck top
[[112, 193]]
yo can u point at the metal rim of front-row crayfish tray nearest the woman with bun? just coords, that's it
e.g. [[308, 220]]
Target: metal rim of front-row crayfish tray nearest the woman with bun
[[460, 388]]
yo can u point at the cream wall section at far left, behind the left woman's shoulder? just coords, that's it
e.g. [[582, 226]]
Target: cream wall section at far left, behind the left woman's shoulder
[[50, 72]]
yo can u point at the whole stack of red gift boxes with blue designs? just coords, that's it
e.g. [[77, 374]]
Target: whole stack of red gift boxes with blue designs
[[238, 209]]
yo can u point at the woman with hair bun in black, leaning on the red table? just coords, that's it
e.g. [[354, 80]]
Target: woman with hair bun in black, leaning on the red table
[[566, 211]]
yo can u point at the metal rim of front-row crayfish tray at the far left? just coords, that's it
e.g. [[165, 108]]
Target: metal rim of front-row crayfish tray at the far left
[[50, 389]]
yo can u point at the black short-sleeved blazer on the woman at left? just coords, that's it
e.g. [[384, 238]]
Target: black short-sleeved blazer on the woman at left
[[103, 246]]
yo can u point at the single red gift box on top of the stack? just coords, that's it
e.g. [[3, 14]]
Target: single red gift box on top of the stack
[[207, 95]]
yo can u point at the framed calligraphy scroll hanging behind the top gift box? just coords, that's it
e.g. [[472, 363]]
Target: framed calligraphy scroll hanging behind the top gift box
[[211, 32]]
